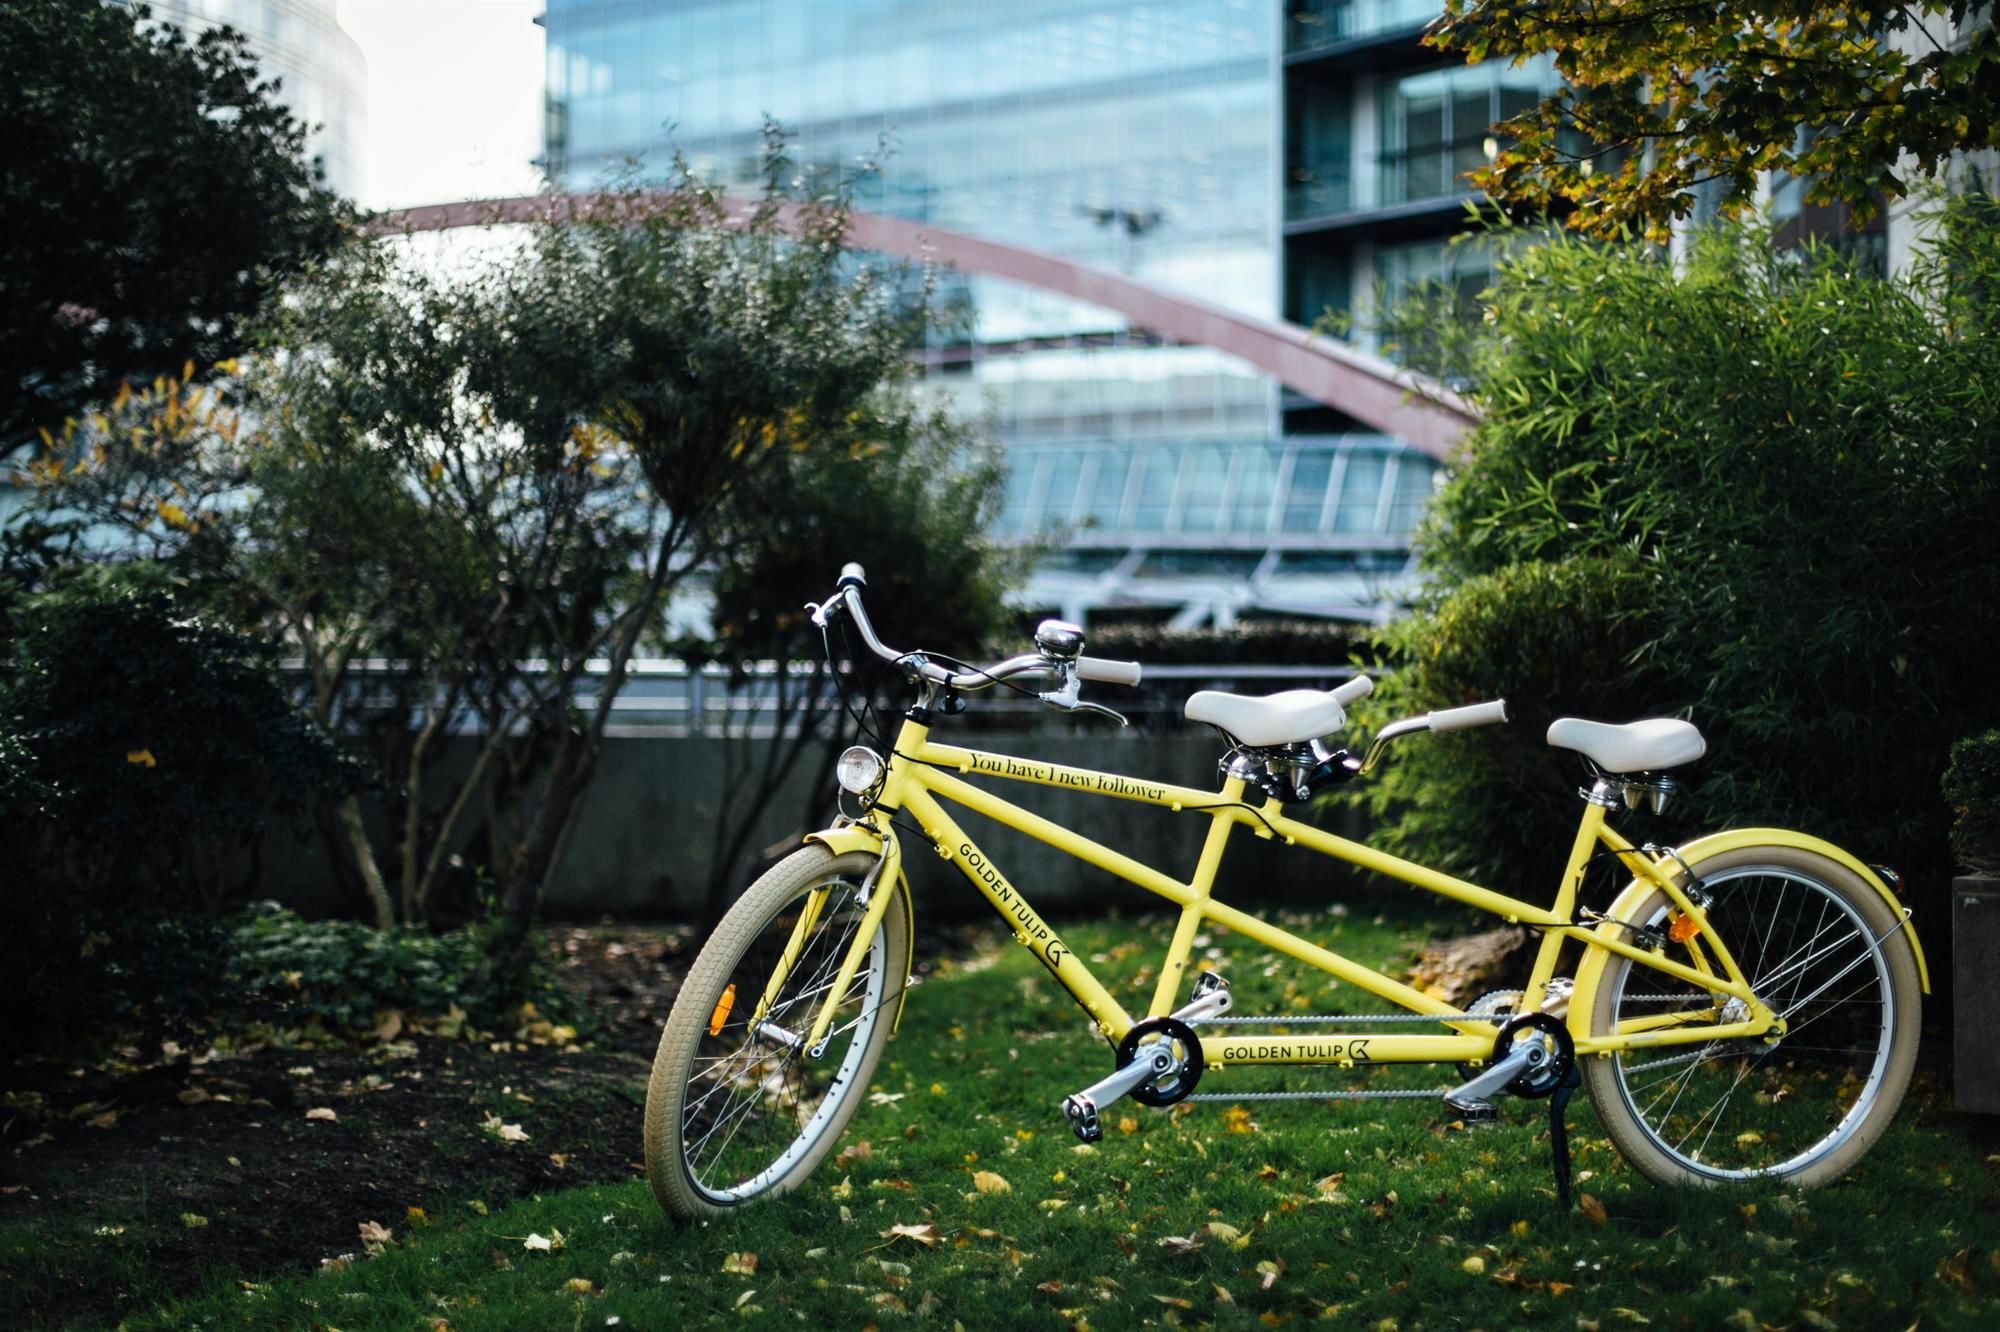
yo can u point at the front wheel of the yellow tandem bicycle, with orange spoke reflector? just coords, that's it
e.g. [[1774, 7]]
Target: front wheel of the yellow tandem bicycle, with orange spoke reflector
[[737, 1109]]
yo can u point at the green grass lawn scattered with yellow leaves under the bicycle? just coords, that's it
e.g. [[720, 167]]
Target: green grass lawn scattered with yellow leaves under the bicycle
[[1373, 1215]]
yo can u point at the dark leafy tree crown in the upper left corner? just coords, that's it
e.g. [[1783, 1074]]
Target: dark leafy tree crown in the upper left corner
[[153, 191]]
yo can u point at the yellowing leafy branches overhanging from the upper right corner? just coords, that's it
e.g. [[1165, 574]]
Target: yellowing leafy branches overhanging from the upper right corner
[[1861, 101]]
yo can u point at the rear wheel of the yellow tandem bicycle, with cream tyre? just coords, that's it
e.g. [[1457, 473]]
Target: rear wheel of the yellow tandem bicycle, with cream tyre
[[1819, 947]]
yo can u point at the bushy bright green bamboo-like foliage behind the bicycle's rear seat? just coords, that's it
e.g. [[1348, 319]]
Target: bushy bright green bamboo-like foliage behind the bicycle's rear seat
[[1761, 493]]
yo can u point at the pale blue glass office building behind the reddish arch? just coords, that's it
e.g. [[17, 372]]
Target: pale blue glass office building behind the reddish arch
[[1137, 137]]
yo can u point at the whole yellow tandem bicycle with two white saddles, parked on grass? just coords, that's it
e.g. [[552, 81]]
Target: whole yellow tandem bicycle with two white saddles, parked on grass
[[1747, 1007]]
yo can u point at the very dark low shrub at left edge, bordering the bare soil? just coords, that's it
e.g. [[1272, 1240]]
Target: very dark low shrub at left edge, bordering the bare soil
[[139, 751]]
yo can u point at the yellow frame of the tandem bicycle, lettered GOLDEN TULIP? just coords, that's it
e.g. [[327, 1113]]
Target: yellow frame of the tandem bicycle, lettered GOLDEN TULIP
[[919, 773]]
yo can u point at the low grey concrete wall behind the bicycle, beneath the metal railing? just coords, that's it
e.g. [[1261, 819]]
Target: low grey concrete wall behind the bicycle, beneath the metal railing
[[647, 833]]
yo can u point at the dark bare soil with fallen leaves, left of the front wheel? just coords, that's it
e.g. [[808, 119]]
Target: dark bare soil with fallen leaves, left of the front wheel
[[195, 1159]]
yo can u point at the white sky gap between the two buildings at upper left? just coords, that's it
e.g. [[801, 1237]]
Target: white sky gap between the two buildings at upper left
[[455, 99]]
